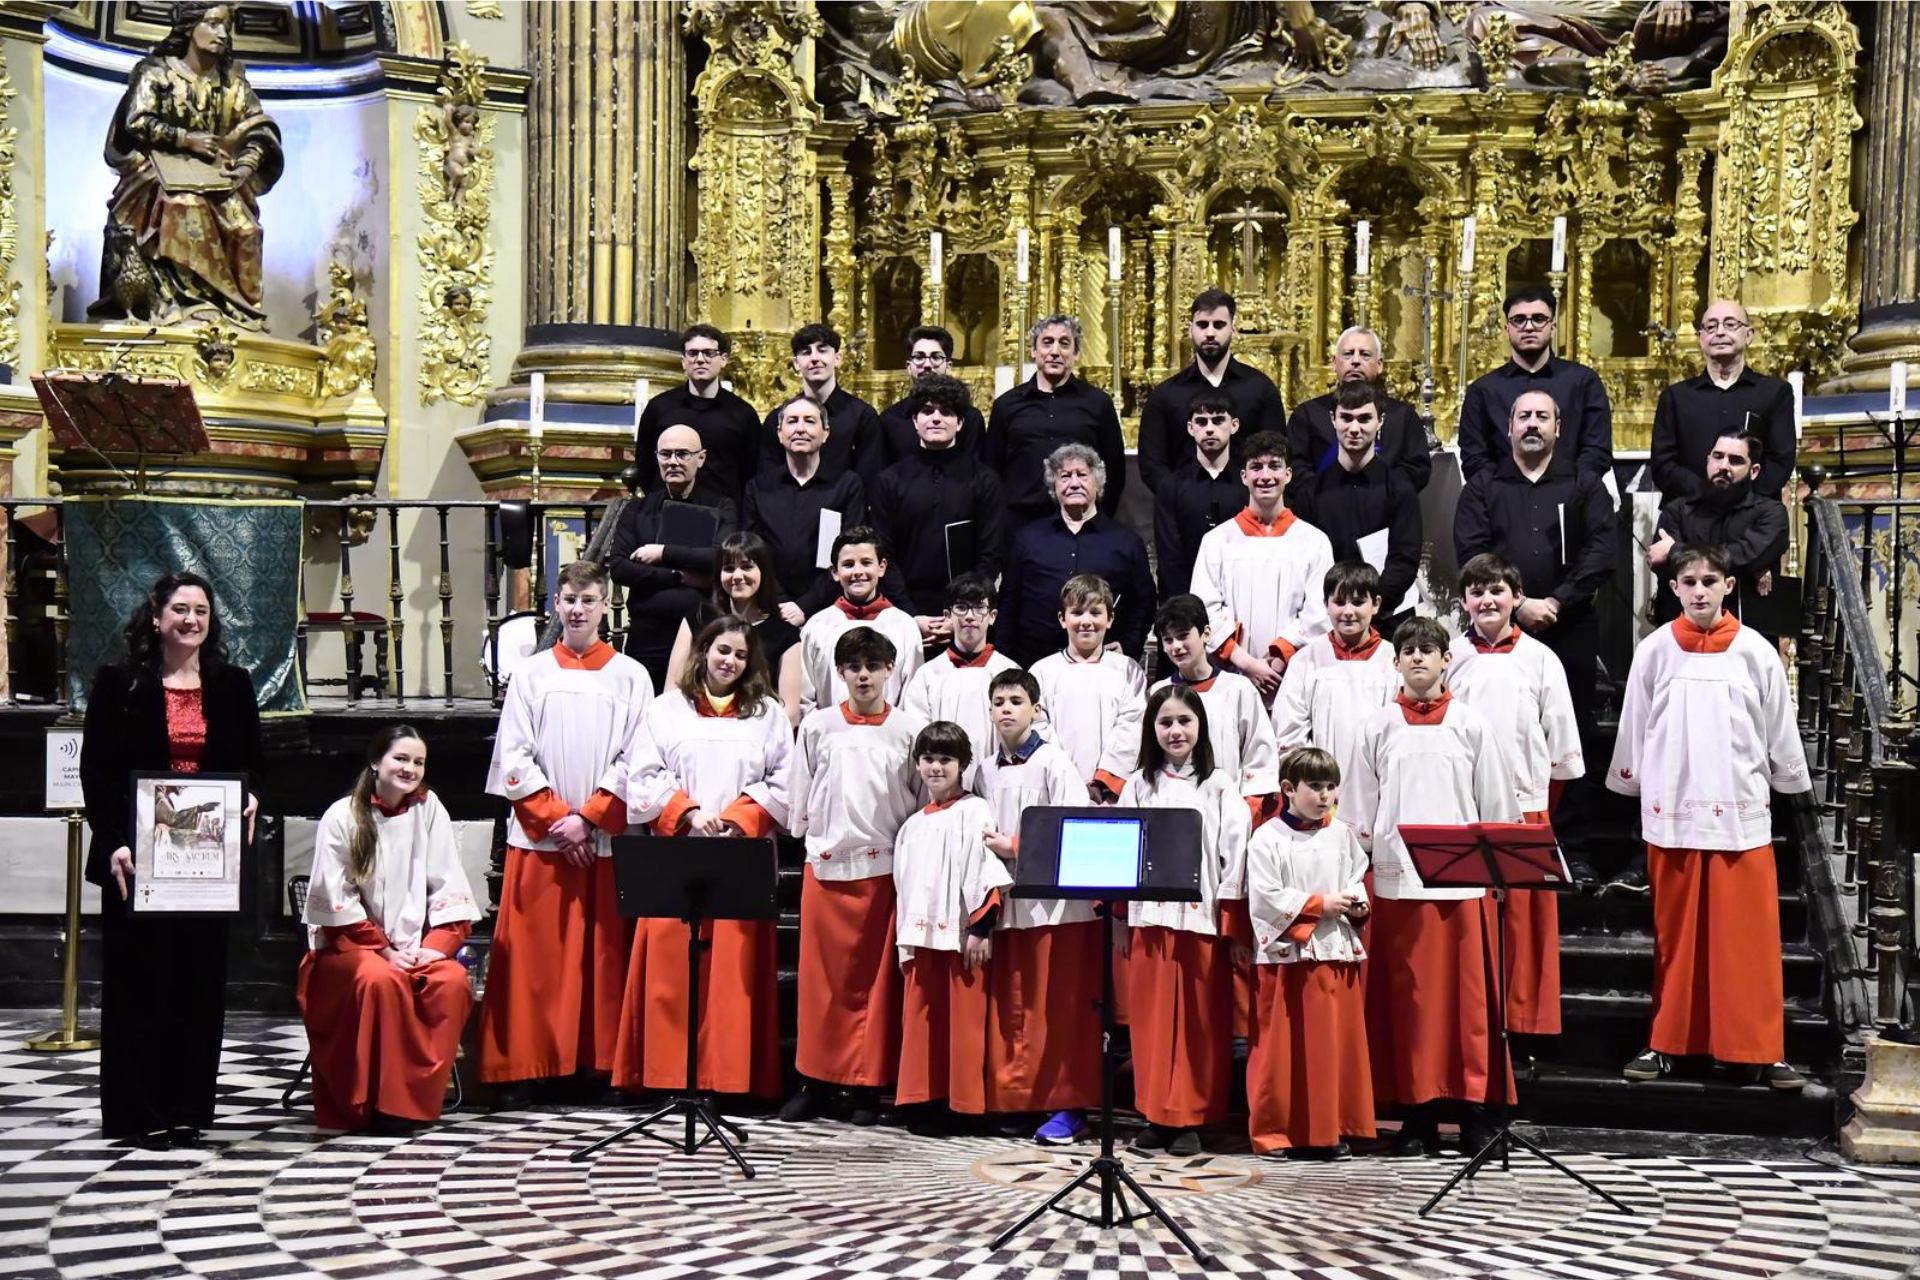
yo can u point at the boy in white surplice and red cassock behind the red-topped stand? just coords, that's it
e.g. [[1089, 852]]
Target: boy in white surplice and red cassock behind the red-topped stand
[[1429, 759]]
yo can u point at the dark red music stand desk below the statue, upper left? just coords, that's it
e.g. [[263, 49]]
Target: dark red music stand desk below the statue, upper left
[[112, 414]]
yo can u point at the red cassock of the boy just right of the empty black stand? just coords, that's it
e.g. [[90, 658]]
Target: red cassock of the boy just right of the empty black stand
[[850, 984]]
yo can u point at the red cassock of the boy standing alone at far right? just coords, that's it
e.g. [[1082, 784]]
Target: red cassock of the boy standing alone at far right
[[1717, 987]]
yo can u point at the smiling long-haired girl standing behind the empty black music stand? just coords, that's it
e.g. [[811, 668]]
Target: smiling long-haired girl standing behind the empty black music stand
[[709, 761]]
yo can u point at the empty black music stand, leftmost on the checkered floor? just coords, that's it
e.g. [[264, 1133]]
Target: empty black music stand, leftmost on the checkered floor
[[696, 882]]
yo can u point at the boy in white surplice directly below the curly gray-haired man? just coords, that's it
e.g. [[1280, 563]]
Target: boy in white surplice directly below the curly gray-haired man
[[1093, 698]]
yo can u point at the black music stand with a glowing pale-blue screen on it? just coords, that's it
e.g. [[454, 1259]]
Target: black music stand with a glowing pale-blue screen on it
[[1111, 857]]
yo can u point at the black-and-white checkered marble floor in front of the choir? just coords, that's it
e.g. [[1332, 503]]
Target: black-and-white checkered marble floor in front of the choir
[[496, 1197]]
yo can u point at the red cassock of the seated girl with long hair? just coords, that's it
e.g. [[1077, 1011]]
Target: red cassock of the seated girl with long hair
[[383, 1039]]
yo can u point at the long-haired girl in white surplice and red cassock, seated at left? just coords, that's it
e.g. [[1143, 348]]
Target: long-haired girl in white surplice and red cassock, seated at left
[[389, 907]]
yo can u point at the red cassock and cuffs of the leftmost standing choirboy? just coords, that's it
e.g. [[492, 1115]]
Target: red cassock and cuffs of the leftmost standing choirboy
[[560, 953]]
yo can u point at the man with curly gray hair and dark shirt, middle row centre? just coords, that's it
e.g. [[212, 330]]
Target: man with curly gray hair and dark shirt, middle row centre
[[1078, 538]]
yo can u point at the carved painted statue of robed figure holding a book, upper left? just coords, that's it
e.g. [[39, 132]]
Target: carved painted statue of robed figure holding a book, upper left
[[195, 154]]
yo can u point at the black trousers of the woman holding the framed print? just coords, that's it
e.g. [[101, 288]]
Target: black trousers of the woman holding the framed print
[[162, 1012]]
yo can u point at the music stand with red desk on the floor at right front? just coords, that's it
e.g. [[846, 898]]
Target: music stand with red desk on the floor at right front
[[1499, 857]]
